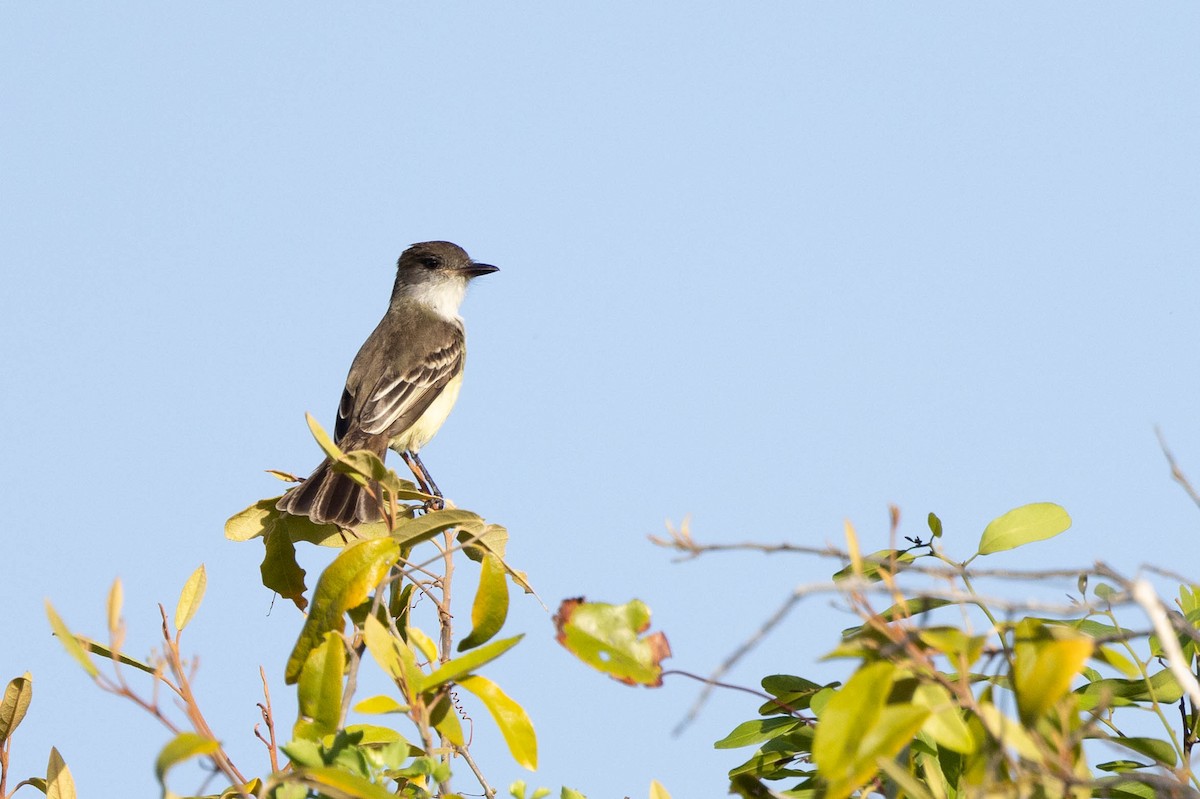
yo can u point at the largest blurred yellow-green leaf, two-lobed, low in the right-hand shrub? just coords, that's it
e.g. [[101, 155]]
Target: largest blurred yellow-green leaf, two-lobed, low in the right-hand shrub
[[859, 728]]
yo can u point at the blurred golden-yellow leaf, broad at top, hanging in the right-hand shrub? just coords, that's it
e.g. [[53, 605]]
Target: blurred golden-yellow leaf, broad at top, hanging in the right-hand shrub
[[1046, 662]]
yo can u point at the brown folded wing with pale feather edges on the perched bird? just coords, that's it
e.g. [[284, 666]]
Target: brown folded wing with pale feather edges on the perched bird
[[405, 389]]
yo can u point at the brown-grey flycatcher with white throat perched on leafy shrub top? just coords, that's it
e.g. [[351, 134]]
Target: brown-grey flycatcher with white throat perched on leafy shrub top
[[403, 385]]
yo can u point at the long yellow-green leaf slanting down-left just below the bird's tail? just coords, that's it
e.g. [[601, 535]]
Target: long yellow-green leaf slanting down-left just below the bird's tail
[[345, 585]]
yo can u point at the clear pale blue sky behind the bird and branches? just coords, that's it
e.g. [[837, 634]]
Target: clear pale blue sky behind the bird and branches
[[773, 266]]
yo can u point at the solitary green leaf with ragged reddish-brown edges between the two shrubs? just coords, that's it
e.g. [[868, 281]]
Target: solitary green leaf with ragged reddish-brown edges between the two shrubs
[[607, 638]]
